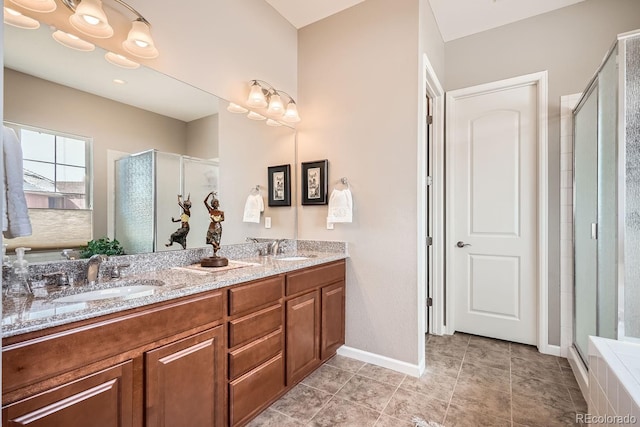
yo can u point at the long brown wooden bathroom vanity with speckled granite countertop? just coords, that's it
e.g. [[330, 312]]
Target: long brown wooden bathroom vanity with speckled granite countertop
[[208, 350]]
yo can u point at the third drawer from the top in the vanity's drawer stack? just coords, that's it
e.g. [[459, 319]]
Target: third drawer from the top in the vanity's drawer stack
[[253, 354]]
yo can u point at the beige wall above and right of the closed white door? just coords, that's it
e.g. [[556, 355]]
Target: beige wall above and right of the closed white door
[[570, 43]]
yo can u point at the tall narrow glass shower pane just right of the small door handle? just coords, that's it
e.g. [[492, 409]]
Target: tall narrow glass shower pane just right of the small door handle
[[607, 199]]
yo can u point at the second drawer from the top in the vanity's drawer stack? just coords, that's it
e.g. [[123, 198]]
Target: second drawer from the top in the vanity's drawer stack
[[255, 325]]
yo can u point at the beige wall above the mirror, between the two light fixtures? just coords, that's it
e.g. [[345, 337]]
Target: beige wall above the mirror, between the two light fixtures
[[219, 45]]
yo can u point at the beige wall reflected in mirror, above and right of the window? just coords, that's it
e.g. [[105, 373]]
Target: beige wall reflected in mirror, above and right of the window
[[40, 103]]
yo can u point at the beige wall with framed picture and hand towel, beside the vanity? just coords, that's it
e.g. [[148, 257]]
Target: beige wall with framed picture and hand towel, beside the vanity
[[360, 91]]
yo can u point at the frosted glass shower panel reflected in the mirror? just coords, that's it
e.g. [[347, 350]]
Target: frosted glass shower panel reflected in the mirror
[[134, 199]]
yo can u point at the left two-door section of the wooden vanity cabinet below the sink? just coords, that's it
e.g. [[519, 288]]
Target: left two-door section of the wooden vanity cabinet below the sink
[[99, 372]]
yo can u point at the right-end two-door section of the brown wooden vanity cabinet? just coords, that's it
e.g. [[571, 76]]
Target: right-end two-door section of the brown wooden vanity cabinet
[[315, 307]]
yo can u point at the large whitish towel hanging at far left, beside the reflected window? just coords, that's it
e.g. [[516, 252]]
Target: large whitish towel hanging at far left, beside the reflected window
[[15, 218]]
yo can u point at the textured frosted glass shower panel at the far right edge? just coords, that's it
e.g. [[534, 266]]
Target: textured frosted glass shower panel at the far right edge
[[632, 190]]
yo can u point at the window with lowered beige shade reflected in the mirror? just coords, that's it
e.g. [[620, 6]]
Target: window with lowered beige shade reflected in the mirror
[[57, 185]]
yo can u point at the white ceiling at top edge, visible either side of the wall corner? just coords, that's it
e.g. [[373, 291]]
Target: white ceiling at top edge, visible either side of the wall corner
[[455, 18]]
